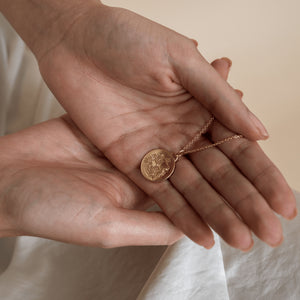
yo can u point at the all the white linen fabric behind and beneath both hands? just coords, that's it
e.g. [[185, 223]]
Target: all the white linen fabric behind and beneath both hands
[[39, 269]]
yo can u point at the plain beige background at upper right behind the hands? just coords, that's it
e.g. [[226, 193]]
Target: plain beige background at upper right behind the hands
[[262, 37]]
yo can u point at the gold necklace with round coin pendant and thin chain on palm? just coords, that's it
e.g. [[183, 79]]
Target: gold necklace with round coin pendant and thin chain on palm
[[159, 164]]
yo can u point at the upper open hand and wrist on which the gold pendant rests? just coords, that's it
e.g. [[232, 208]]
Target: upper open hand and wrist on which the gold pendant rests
[[132, 85]]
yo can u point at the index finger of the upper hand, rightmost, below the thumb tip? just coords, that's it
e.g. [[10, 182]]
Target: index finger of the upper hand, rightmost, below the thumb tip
[[260, 170]]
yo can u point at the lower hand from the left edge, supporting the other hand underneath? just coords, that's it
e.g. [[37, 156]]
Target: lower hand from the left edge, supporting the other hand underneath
[[55, 184]]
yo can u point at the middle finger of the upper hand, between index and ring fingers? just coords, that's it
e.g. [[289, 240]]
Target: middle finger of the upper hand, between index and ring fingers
[[242, 196]]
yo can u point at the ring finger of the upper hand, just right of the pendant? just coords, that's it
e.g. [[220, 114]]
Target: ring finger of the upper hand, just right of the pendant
[[211, 206]]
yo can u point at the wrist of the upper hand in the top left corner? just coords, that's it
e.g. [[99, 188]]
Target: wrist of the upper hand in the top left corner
[[43, 24]]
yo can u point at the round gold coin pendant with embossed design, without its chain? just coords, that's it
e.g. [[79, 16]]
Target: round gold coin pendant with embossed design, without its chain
[[158, 165]]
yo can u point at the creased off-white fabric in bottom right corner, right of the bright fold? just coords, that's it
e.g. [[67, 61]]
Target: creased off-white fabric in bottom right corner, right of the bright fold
[[265, 272]]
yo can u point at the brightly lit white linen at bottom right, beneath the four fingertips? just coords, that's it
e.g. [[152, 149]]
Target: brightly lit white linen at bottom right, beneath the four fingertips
[[186, 271]]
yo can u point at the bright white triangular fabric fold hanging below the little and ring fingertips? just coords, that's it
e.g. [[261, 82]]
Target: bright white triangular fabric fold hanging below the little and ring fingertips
[[187, 271]]
